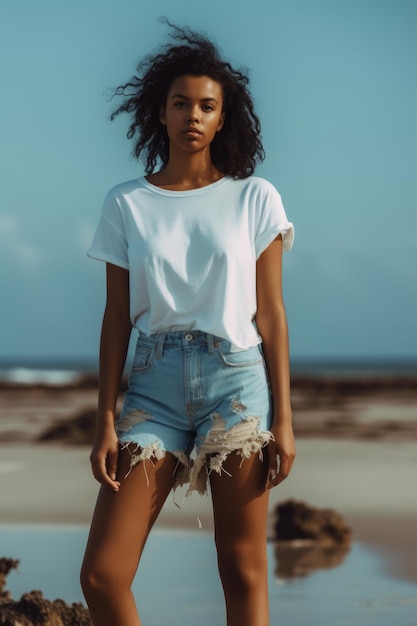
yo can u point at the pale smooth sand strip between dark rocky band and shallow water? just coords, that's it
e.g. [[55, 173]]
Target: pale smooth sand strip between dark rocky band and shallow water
[[51, 485]]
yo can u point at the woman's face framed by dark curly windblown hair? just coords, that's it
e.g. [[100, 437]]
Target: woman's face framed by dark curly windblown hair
[[193, 112]]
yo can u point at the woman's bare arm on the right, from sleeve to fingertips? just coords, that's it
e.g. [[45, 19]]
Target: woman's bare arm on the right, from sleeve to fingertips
[[271, 323]]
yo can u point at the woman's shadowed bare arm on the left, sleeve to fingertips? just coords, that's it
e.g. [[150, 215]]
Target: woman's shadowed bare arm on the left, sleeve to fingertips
[[115, 334]]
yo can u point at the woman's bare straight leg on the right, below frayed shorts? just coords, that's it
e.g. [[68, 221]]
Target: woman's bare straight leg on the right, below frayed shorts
[[240, 504]]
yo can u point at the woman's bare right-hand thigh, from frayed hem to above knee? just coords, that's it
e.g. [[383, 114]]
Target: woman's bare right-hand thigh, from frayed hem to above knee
[[240, 500]]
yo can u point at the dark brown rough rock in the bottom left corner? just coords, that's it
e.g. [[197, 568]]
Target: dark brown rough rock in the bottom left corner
[[33, 609]]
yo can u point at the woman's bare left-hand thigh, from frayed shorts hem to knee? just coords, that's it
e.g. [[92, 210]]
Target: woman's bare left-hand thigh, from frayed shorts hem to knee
[[122, 520]]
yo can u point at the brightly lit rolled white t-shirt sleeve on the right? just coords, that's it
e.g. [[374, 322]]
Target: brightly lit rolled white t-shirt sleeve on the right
[[273, 222]]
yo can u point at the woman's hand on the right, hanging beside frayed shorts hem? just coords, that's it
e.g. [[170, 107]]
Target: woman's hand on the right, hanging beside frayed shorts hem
[[281, 453]]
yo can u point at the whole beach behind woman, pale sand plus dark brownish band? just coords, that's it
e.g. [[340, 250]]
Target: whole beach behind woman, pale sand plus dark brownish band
[[356, 453]]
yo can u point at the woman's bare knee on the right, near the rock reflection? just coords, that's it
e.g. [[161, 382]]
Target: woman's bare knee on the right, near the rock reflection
[[242, 566]]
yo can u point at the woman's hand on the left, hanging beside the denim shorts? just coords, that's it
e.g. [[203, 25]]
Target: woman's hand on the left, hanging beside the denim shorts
[[103, 458]]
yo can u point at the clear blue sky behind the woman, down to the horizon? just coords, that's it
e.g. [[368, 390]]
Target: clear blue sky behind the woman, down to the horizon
[[334, 85]]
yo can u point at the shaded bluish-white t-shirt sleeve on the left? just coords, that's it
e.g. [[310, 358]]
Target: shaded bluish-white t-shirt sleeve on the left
[[109, 242]]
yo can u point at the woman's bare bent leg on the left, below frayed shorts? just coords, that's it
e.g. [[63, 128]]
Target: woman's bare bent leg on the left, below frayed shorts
[[121, 524]]
